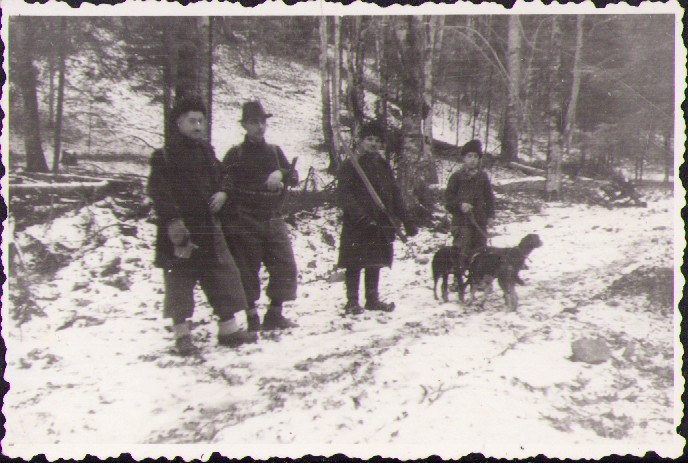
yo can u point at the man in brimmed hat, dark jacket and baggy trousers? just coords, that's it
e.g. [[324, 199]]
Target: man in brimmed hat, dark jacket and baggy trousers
[[256, 175]]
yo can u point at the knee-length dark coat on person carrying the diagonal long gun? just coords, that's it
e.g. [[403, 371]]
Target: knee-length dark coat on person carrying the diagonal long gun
[[362, 244]]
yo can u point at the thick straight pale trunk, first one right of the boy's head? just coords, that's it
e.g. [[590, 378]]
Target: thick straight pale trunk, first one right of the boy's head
[[510, 135]]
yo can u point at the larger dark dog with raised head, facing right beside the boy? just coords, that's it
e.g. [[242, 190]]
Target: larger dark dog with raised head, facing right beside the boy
[[502, 264]]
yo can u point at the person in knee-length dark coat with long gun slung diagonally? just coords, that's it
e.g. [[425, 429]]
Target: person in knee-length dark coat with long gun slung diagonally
[[367, 235]]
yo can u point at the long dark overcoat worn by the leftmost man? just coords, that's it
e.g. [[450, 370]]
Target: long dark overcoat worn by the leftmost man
[[182, 179]]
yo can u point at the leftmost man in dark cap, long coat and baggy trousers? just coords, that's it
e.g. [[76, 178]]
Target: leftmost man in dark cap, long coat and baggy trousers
[[185, 186]]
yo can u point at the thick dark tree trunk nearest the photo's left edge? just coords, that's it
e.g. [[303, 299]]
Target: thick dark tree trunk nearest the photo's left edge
[[26, 74]]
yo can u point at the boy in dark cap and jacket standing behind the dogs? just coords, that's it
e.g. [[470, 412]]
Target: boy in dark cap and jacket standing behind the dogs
[[470, 200]]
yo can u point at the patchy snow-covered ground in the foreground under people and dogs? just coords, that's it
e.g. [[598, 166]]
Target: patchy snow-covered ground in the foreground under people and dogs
[[99, 370]]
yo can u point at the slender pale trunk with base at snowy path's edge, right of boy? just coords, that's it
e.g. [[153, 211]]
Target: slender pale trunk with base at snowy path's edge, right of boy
[[553, 181]]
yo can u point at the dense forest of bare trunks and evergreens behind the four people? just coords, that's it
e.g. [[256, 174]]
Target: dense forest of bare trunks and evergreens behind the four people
[[578, 94]]
